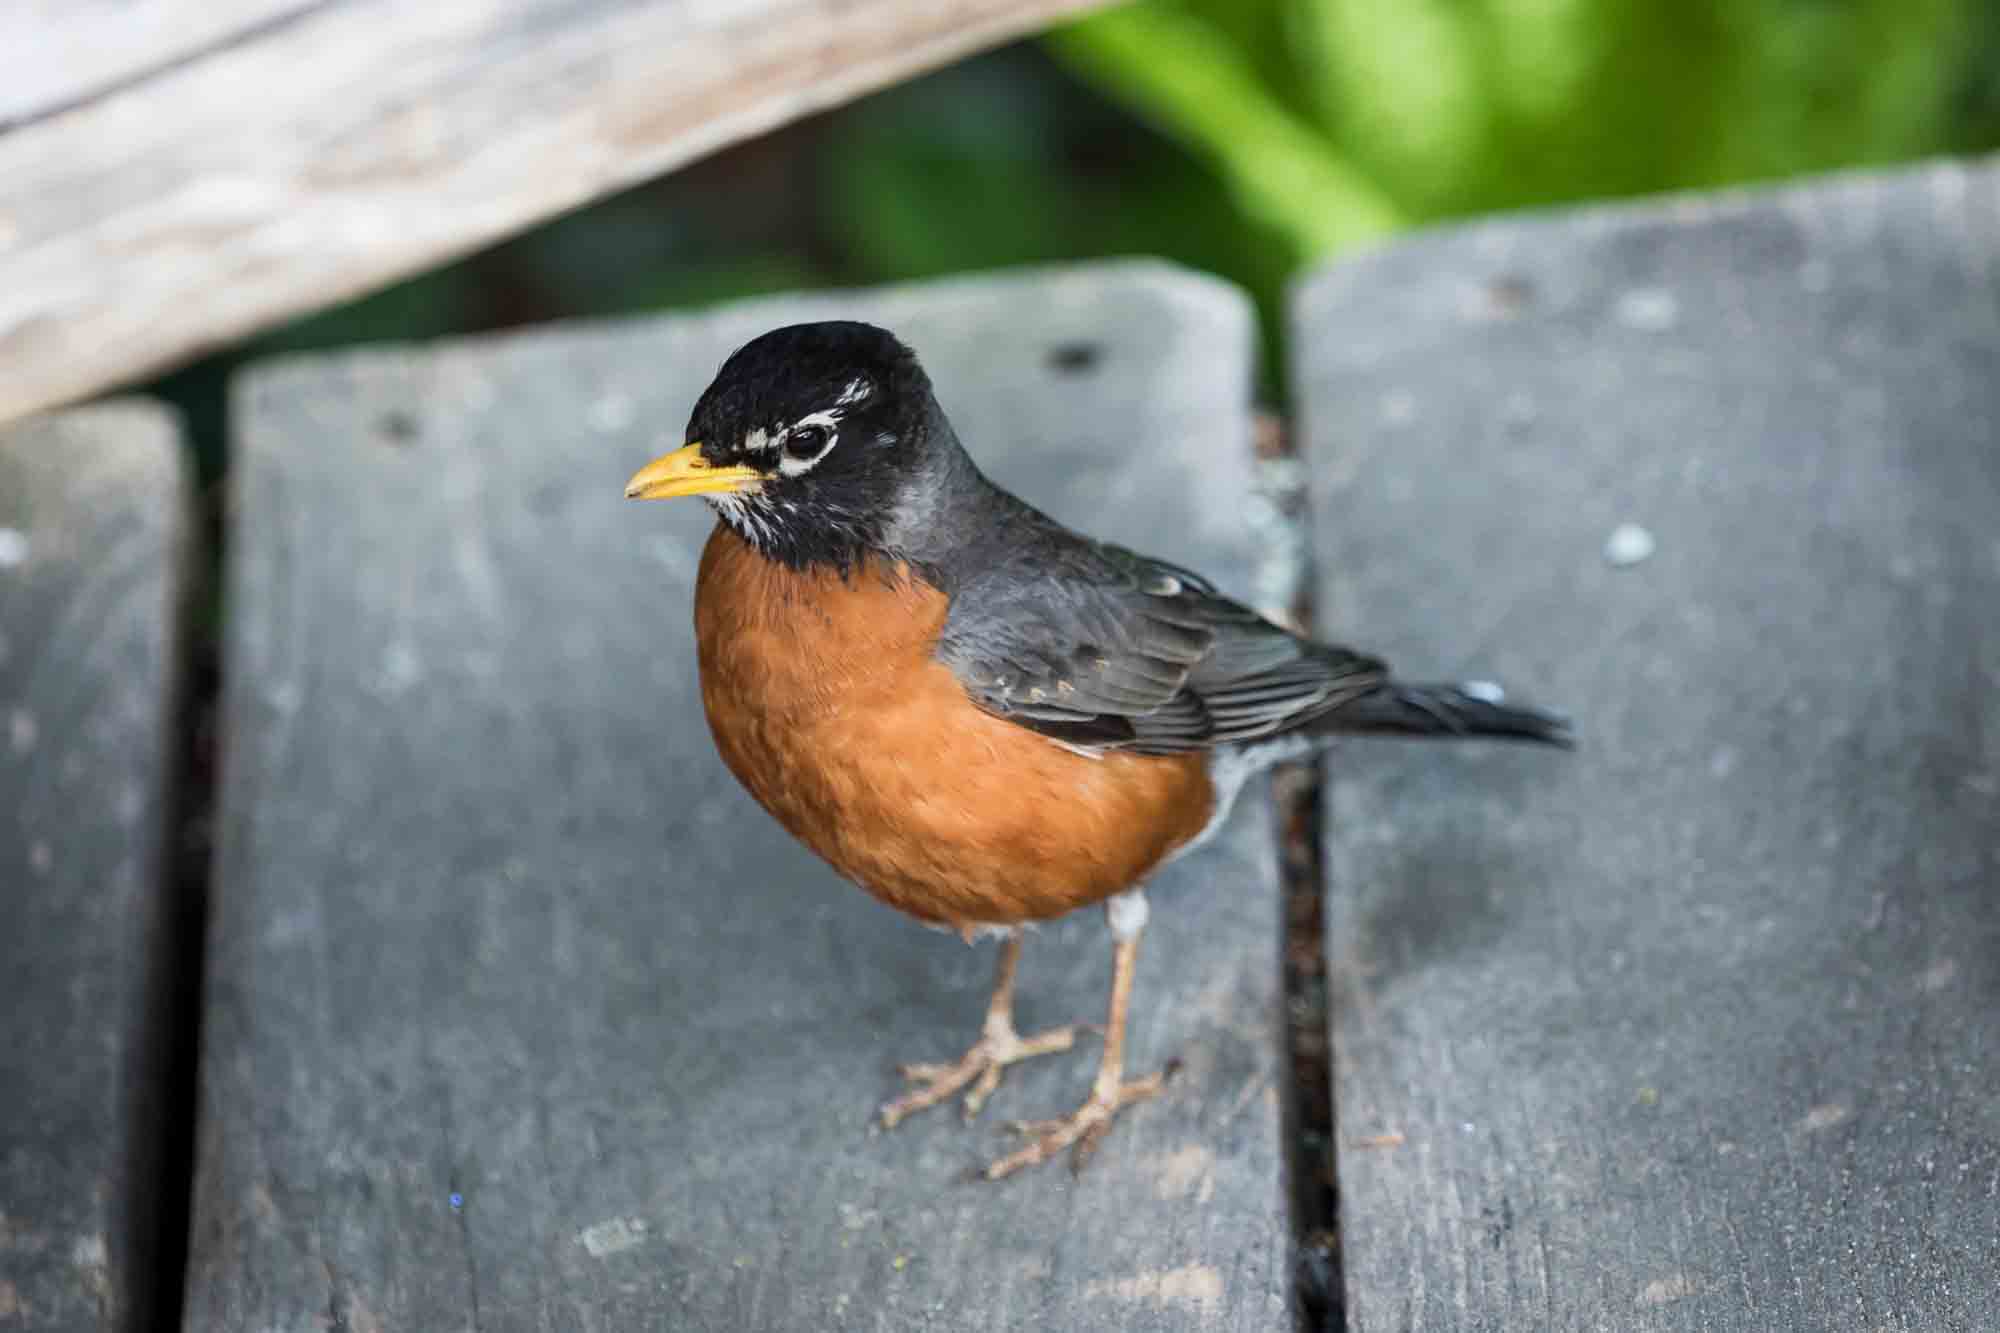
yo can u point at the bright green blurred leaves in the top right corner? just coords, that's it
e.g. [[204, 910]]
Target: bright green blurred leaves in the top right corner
[[1337, 121]]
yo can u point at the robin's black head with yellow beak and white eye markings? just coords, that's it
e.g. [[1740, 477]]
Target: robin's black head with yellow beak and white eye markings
[[807, 443]]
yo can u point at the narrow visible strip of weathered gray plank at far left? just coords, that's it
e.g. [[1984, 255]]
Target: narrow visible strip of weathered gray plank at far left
[[93, 547]]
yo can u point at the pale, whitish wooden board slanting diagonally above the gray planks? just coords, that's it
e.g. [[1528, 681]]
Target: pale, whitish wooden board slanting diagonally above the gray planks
[[219, 169]]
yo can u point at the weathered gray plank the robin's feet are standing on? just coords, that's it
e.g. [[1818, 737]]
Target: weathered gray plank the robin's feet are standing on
[[495, 920]]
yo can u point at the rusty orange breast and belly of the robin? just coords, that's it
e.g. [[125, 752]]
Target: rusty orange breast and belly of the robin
[[827, 704]]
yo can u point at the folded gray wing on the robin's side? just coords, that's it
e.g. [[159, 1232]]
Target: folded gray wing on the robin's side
[[1109, 649]]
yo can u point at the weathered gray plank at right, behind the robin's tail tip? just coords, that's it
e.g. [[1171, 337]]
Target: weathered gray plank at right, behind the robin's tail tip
[[1697, 1028]]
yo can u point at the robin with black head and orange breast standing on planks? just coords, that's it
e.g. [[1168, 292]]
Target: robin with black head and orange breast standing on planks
[[973, 712]]
